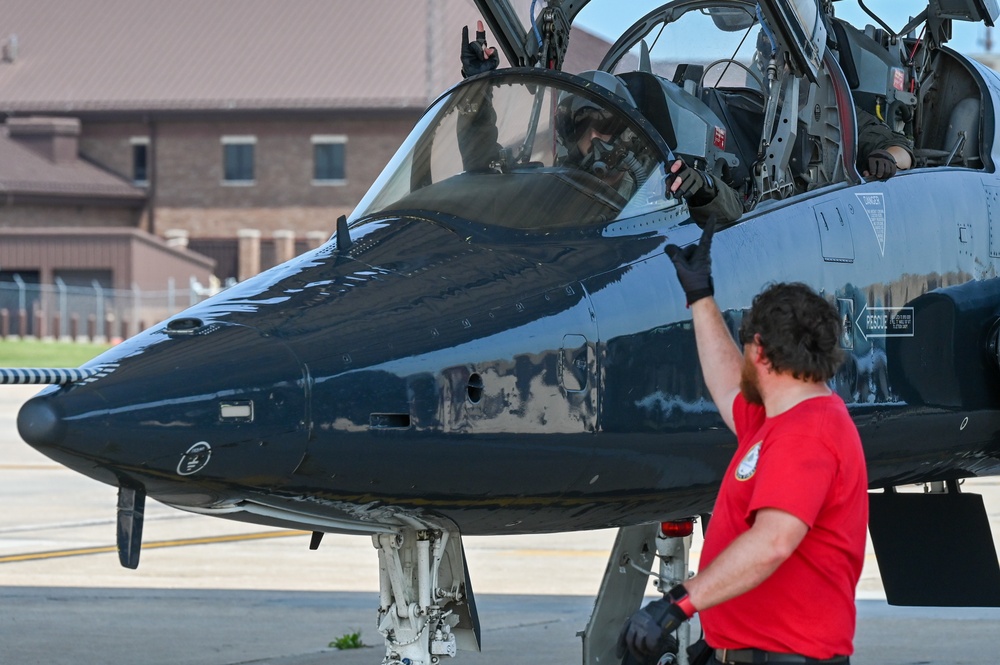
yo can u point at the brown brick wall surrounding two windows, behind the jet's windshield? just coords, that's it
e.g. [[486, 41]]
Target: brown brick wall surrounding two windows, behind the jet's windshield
[[189, 189]]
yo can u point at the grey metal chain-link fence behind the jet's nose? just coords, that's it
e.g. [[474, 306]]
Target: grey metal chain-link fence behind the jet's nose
[[92, 313]]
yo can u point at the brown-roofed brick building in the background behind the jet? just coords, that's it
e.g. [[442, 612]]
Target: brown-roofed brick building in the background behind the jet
[[238, 129]]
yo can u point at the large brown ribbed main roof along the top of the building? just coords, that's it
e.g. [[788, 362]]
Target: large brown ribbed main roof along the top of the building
[[74, 56]]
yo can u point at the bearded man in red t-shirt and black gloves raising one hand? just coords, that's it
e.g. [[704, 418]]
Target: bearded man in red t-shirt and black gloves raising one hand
[[786, 543]]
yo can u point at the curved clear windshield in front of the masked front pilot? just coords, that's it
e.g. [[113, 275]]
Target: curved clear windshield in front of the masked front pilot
[[526, 149]]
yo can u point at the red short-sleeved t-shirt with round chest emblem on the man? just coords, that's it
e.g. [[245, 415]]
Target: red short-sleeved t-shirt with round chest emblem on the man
[[807, 461]]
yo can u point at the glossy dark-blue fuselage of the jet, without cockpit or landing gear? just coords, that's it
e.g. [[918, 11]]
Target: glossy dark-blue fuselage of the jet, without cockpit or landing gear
[[514, 381]]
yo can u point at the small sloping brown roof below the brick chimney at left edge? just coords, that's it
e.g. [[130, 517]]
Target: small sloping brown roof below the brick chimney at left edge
[[26, 173]]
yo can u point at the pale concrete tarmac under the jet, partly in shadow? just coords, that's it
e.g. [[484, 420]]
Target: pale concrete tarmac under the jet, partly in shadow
[[212, 592]]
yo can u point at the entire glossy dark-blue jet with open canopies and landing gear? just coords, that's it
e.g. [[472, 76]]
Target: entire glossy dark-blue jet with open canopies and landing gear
[[494, 342]]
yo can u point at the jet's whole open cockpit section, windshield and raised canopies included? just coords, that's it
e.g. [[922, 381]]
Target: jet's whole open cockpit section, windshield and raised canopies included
[[756, 94]]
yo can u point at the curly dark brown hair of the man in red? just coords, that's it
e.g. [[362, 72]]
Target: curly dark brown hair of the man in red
[[797, 329]]
